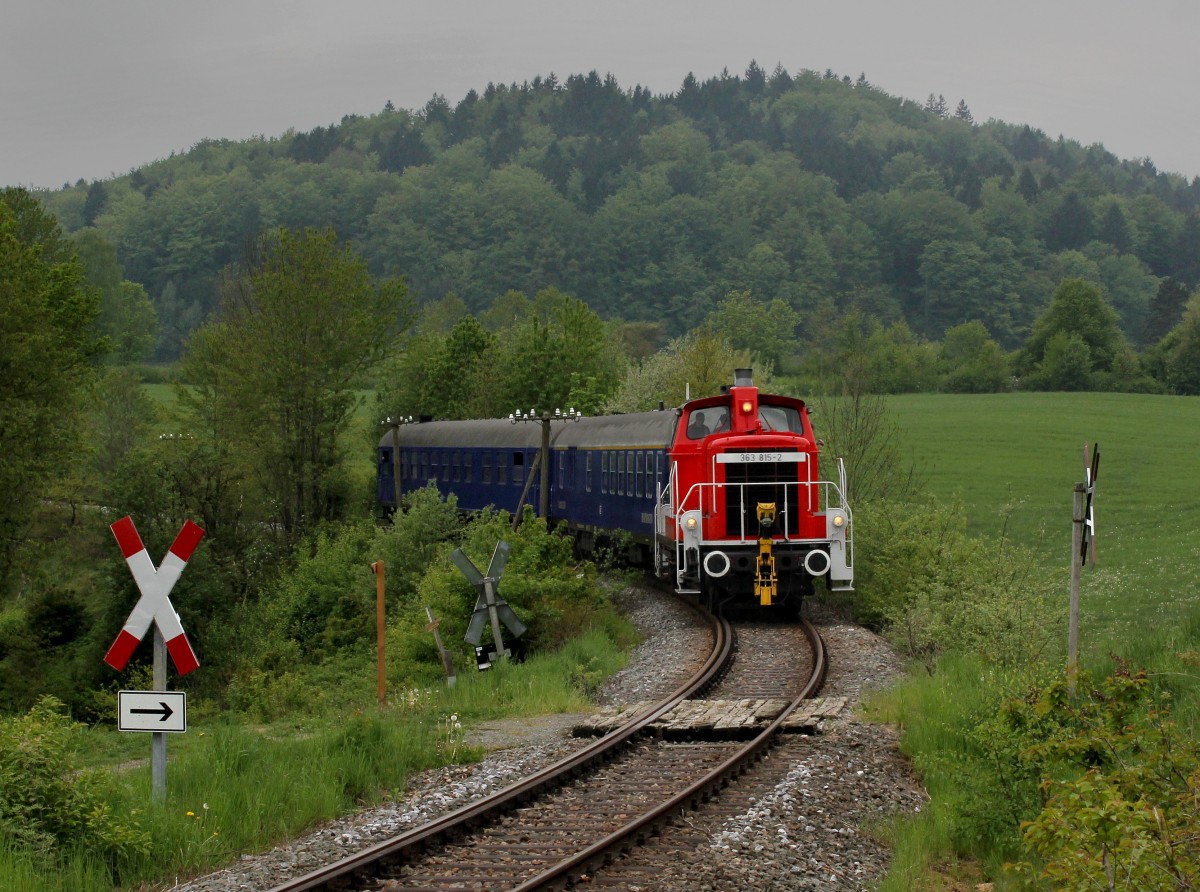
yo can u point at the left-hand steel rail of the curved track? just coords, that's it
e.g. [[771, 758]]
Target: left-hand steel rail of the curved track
[[434, 834]]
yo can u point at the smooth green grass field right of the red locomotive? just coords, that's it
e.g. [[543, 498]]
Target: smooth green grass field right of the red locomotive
[[1013, 462]]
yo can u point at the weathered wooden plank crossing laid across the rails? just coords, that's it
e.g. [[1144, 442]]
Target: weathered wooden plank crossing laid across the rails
[[717, 720]]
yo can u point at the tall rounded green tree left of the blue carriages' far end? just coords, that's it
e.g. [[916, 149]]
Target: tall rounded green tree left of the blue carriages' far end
[[302, 322]]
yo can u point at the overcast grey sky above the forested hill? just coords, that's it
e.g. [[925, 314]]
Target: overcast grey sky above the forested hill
[[93, 89]]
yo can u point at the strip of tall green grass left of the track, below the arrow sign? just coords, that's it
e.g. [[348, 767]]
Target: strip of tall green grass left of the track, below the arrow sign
[[235, 788]]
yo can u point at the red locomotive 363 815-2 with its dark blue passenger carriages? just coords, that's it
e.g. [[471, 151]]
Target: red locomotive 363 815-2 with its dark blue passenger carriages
[[722, 495]]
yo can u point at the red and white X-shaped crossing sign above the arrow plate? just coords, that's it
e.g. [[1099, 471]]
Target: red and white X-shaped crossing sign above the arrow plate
[[154, 606]]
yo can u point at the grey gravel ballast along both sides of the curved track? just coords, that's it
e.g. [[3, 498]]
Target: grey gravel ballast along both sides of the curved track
[[809, 831]]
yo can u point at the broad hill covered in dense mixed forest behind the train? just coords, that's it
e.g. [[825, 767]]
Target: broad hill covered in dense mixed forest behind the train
[[821, 190]]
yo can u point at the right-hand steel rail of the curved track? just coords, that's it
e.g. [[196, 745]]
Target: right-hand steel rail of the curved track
[[572, 870]]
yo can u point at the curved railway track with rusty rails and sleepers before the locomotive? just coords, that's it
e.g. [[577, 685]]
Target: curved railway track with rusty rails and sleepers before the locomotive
[[569, 822]]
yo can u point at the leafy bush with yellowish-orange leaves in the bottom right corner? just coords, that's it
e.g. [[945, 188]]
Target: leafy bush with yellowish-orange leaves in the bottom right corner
[[1123, 798]]
